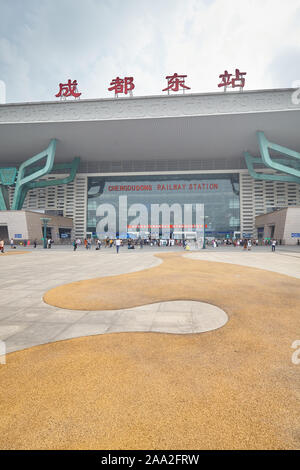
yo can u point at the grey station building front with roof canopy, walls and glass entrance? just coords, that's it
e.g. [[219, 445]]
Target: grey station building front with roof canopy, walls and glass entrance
[[159, 150]]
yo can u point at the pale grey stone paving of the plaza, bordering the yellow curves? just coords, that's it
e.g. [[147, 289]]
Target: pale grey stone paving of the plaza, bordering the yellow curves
[[26, 320]]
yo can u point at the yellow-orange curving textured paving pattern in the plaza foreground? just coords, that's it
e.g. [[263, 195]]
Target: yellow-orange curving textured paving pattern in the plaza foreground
[[235, 387]]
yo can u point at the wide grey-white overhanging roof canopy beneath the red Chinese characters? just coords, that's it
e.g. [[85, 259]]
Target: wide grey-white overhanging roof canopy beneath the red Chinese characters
[[191, 126]]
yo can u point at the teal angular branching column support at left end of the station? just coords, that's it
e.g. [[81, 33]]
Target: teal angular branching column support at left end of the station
[[29, 176]]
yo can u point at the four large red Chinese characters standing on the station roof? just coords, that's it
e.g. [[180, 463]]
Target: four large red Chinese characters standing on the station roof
[[175, 83]]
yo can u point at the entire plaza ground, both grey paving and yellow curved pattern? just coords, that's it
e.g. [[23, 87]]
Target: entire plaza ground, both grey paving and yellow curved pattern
[[155, 340]]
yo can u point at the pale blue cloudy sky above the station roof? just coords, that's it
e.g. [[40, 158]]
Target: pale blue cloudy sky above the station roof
[[46, 42]]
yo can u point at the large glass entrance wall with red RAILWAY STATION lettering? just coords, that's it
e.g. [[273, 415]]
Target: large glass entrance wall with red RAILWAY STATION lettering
[[112, 199]]
